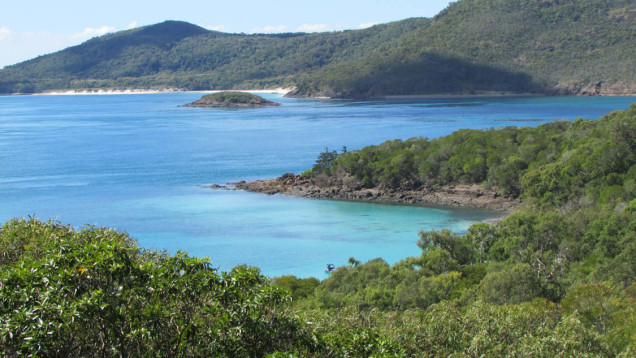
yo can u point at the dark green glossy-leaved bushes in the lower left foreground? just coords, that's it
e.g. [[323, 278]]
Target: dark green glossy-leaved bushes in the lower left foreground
[[94, 293]]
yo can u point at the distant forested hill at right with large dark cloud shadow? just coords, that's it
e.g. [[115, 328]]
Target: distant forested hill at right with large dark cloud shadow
[[480, 46]]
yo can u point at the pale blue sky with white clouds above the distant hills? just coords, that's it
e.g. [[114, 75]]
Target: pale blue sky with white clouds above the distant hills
[[30, 28]]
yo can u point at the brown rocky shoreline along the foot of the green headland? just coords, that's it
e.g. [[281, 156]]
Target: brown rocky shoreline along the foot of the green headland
[[471, 196]]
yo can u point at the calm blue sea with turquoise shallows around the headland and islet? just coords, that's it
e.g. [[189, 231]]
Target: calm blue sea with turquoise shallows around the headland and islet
[[139, 163]]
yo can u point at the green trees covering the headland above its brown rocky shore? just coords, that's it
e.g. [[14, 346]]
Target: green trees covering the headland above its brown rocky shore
[[551, 164]]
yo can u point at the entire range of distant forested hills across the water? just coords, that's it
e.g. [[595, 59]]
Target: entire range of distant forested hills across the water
[[473, 46]]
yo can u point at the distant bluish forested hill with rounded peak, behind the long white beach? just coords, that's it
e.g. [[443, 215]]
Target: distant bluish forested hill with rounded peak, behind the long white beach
[[176, 54]]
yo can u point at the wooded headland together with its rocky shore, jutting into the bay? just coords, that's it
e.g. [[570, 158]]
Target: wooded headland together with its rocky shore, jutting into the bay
[[491, 169]]
